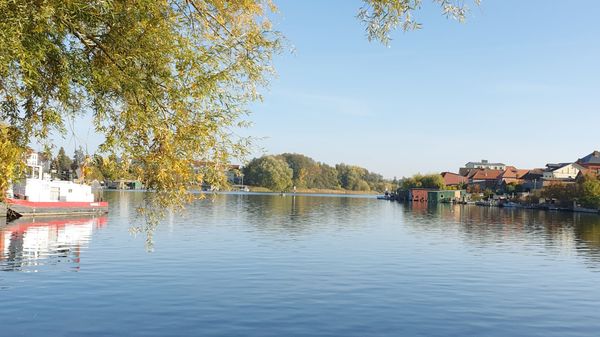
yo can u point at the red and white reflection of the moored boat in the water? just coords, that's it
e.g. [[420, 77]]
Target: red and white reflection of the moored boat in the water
[[30, 244]]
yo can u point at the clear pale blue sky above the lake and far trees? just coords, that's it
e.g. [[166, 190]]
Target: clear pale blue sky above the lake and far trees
[[519, 83]]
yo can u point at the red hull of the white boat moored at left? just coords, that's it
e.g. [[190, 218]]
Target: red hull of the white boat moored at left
[[20, 207]]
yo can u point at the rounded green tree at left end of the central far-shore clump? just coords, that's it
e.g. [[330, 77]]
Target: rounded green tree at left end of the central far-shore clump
[[269, 171]]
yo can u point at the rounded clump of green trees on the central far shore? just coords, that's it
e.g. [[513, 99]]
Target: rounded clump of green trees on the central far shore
[[285, 171]]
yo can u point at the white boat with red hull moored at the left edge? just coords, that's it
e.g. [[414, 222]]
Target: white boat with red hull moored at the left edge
[[39, 195]]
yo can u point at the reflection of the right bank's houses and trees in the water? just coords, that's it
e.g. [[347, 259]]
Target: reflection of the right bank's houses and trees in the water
[[511, 229]]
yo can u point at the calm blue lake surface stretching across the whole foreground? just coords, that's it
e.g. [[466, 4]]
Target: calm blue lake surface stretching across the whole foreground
[[264, 265]]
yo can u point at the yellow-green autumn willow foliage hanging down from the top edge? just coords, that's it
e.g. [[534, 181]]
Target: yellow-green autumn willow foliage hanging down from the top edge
[[167, 82]]
